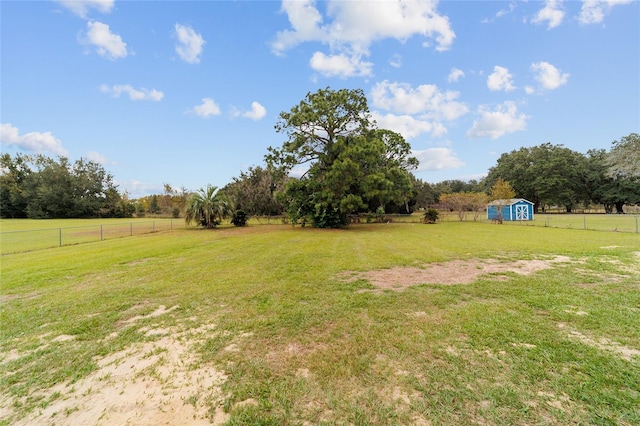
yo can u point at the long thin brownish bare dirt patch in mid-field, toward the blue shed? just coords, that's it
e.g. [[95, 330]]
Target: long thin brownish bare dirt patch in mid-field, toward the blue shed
[[446, 273]]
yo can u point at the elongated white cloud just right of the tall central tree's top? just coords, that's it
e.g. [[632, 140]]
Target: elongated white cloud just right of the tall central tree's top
[[426, 99]]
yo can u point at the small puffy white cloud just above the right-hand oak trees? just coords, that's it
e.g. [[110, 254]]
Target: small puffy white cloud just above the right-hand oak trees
[[493, 124]]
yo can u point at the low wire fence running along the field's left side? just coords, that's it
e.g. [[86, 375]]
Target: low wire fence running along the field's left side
[[37, 239]]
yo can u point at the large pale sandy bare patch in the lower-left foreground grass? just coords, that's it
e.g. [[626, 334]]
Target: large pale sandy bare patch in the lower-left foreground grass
[[149, 383]]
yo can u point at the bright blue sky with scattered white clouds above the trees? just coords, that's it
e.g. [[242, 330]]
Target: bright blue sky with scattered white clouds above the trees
[[188, 93]]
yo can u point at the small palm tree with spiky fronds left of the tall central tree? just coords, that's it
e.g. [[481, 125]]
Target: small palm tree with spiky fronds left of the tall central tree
[[206, 207]]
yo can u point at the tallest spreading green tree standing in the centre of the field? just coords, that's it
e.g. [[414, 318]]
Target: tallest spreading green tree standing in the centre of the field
[[351, 165]]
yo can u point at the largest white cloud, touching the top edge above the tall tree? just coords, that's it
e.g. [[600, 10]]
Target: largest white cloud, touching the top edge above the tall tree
[[350, 27]]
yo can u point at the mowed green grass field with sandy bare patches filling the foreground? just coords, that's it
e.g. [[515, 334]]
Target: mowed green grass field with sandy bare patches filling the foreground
[[401, 323]]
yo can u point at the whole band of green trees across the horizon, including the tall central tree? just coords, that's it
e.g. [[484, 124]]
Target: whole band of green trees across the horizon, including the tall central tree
[[350, 168]]
